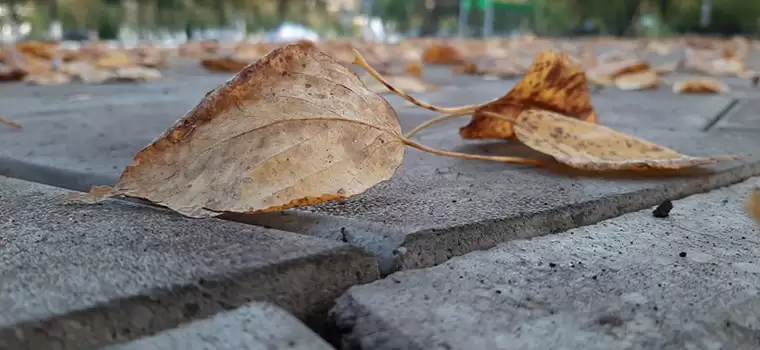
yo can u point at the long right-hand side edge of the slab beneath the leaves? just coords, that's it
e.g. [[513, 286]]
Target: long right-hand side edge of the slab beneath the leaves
[[443, 245]]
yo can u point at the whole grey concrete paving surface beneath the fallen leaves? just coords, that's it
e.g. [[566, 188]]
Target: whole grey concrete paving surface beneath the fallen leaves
[[467, 254]]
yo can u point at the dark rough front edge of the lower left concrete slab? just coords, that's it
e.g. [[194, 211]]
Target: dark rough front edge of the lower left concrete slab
[[217, 294]]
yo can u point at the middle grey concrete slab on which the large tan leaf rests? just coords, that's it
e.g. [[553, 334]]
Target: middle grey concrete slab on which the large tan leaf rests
[[434, 208]]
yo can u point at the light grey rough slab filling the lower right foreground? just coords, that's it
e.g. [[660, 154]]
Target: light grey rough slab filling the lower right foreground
[[688, 281]]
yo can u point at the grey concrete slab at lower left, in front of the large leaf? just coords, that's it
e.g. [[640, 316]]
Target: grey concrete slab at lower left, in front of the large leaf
[[80, 276]]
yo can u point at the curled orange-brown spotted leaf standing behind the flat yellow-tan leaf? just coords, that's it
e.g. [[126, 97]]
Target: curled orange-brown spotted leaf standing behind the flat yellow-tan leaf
[[552, 83]]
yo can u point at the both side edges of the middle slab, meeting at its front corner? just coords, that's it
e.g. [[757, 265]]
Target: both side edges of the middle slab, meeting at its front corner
[[402, 248]]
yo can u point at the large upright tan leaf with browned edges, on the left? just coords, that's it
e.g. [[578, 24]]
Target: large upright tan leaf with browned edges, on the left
[[262, 142]]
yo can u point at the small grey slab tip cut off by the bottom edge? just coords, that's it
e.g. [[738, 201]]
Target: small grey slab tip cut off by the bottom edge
[[252, 327]]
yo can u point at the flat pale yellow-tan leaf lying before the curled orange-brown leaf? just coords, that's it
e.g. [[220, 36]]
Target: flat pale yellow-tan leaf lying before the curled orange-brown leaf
[[589, 146]]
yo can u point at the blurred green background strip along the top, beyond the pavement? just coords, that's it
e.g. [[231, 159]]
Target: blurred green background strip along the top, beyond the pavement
[[176, 21]]
